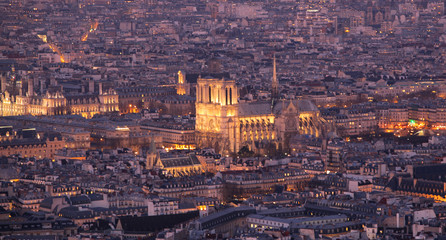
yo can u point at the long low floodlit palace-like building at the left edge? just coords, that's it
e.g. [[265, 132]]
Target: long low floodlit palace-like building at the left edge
[[56, 103]]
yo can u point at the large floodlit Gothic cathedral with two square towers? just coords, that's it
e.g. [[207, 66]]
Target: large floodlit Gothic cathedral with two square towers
[[226, 125]]
